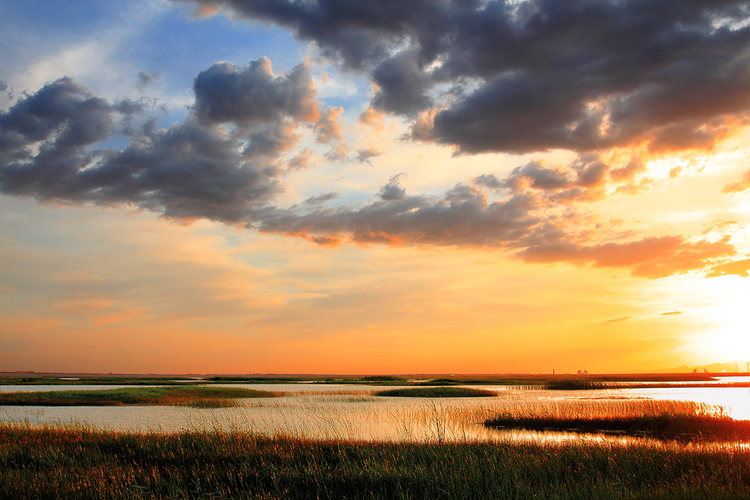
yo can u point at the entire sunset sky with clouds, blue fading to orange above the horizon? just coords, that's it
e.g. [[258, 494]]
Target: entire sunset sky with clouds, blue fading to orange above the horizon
[[373, 187]]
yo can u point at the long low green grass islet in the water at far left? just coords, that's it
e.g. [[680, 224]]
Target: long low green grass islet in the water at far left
[[195, 396]]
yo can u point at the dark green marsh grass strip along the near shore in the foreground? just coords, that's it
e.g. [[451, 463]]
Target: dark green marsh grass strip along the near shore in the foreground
[[70, 463]]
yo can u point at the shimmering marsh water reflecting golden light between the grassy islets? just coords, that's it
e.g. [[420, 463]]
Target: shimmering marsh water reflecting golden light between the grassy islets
[[329, 411]]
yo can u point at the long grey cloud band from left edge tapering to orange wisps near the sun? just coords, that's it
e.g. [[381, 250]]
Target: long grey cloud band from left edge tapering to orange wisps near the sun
[[221, 164]]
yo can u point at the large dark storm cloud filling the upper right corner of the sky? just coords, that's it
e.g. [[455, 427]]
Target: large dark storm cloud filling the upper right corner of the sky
[[539, 74]]
